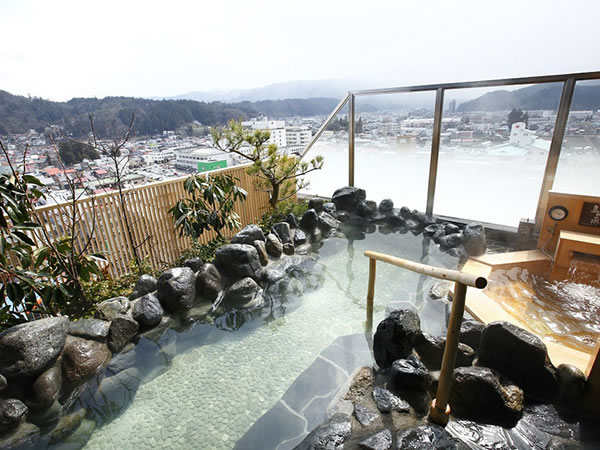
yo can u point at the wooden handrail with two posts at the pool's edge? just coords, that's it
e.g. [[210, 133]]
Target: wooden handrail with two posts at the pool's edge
[[440, 410]]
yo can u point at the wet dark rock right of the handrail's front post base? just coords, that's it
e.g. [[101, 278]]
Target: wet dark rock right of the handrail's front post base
[[478, 394]]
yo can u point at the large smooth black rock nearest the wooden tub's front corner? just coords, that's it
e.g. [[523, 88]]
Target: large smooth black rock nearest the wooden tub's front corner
[[519, 355]]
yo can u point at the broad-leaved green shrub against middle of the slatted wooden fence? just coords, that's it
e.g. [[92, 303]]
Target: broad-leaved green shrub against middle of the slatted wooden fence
[[209, 206]]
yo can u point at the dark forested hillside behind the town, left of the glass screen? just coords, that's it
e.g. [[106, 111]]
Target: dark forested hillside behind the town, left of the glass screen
[[112, 114]]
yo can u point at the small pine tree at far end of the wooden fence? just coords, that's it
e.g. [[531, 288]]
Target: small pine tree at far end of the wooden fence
[[275, 173]]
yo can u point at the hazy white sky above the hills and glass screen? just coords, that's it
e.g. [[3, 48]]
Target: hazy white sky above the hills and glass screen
[[60, 49]]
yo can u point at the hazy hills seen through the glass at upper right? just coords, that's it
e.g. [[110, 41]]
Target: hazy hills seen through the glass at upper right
[[540, 96]]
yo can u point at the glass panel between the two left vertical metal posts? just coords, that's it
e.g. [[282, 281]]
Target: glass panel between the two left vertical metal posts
[[393, 146]]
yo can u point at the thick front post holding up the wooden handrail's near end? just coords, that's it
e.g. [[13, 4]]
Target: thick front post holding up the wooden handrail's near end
[[440, 411]]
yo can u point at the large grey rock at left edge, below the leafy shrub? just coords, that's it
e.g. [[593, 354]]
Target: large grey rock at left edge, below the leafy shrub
[[29, 348]]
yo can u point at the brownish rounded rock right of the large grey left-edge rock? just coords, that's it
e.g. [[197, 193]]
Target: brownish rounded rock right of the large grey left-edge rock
[[83, 358]]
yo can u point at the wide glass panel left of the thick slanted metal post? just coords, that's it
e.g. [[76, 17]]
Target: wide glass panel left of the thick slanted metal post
[[493, 152]]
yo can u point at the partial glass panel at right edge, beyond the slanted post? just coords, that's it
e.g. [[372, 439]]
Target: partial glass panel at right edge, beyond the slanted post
[[579, 164]]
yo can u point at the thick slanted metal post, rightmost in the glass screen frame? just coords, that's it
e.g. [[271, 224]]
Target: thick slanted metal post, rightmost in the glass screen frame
[[560, 128]]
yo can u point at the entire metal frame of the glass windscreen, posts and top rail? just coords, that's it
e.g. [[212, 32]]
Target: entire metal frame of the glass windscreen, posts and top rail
[[569, 81]]
